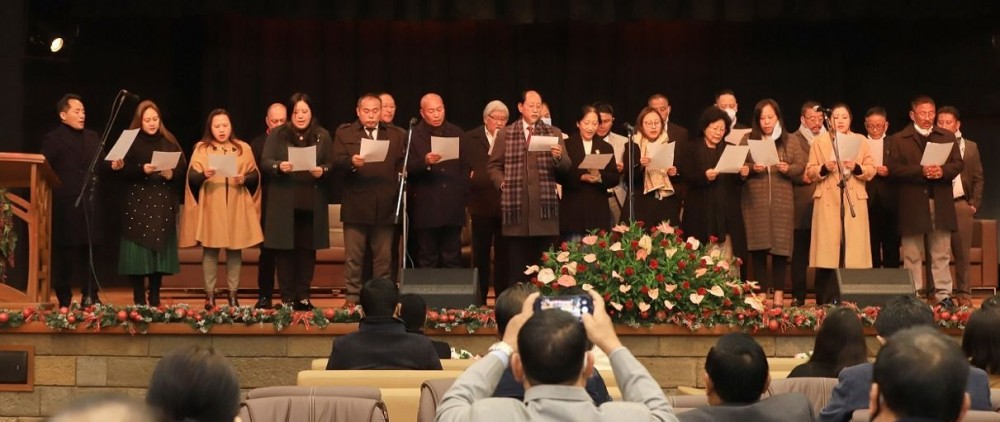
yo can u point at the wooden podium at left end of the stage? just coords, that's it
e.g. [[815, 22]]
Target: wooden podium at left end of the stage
[[33, 172]]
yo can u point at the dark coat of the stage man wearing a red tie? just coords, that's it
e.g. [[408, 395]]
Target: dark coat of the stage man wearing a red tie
[[370, 193]]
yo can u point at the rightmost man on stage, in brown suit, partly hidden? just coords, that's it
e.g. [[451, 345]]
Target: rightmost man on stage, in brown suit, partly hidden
[[967, 189]]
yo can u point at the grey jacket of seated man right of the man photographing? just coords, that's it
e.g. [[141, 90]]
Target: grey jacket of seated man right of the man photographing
[[791, 407]]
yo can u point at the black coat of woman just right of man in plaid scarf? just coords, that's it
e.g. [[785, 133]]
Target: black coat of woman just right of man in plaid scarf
[[584, 206]]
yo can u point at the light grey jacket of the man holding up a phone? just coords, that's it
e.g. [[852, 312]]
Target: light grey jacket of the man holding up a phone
[[469, 398]]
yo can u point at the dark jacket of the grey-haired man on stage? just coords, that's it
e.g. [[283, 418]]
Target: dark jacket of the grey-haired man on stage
[[484, 198]]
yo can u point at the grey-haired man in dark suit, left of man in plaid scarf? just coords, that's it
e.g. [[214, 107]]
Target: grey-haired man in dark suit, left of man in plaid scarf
[[484, 201]]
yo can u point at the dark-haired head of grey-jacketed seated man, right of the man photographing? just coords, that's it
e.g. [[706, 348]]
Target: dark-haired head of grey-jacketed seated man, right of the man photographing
[[736, 370]]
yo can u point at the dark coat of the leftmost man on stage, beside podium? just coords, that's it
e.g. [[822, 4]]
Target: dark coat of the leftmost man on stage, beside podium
[[69, 151]]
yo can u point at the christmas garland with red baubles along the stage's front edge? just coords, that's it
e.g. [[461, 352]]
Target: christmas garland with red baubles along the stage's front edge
[[136, 319]]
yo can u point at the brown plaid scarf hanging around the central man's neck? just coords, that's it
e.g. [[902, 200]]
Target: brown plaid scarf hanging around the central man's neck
[[515, 171]]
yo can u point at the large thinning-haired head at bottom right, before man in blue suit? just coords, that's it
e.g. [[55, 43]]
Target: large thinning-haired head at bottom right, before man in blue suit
[[919, 375]]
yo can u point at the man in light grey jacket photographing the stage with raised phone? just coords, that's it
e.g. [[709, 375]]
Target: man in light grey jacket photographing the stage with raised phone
[[549, 356]]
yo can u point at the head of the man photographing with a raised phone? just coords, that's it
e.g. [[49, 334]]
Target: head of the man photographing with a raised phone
[[552, 349]]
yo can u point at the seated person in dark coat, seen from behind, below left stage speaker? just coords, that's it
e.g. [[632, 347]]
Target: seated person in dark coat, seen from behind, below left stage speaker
[[381, 341]]
